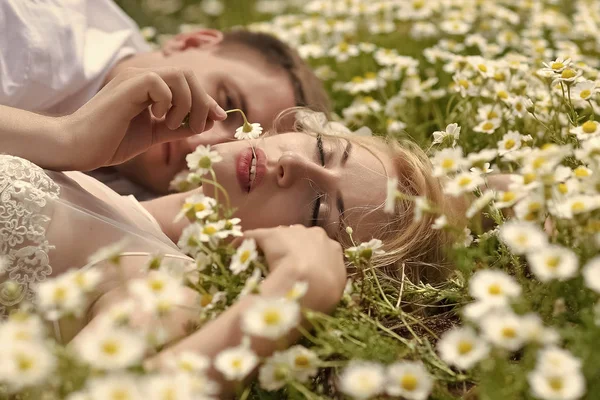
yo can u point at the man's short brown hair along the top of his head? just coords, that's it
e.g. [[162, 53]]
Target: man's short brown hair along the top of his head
[[308, 89]]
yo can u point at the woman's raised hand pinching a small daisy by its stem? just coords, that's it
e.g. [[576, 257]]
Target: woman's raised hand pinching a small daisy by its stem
[[137, 109]]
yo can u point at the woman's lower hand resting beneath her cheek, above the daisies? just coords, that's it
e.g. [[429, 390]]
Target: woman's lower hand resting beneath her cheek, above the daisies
[[297, 253]]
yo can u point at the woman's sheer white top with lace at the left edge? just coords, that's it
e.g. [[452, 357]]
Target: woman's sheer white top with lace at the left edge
[[52, 221]]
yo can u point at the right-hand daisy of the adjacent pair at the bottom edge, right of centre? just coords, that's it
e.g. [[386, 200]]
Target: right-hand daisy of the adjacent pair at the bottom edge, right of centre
[[409, 380]]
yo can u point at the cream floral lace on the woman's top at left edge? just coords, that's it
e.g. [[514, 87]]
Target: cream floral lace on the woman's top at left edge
[[26, 195]]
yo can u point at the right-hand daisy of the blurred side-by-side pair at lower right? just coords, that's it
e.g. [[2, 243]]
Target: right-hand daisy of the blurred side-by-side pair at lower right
[[503, 329]]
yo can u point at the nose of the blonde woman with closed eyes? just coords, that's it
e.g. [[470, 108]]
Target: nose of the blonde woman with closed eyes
[[292, 167]]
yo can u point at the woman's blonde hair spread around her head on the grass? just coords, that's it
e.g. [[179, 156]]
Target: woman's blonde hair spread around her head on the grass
[[412, 247]]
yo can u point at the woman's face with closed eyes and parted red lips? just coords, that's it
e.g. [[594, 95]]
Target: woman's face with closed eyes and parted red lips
[[301, 179]]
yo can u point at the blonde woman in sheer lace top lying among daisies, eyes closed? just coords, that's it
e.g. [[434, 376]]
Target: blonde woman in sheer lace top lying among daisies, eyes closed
[[302, 189]]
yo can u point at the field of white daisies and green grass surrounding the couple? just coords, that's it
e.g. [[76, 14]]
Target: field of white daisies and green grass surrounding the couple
[[486, 87]]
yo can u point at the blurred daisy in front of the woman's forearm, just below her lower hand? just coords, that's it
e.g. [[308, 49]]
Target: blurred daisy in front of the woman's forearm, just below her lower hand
[[271, 318]]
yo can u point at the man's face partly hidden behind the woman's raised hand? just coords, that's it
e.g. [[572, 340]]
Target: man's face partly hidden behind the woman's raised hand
[[243, 80]]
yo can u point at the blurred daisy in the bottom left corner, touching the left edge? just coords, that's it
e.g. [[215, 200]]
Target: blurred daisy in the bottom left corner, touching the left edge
[[25, 364]]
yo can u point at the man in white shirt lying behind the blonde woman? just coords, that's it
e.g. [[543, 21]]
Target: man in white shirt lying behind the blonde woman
[[57, 54]]
